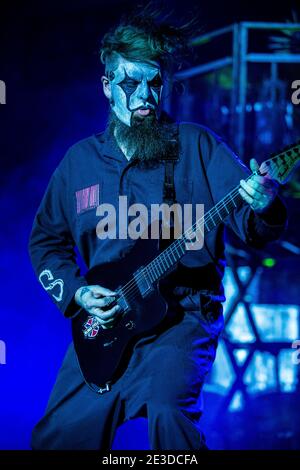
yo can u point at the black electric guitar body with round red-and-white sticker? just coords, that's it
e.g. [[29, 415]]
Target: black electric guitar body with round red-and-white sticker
[[104, 353]]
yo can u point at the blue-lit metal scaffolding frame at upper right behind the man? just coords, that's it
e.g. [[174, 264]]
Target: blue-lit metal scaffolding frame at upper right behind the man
[[239, 59]]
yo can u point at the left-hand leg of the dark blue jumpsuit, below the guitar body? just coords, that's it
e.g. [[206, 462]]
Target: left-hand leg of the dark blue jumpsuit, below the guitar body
[[76, 417]]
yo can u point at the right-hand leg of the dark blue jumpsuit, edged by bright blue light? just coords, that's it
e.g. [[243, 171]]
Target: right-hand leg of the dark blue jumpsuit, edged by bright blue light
[[171, 373]]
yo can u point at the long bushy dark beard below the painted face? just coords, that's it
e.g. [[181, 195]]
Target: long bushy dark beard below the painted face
[[150, 139]]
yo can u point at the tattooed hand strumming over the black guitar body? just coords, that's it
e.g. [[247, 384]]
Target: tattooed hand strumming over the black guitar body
[[95, 300]]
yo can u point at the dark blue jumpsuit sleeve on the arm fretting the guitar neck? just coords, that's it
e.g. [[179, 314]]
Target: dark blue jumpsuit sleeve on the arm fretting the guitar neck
[[224, 172]]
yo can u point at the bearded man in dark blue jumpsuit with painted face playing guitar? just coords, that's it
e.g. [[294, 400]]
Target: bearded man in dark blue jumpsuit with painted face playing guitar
[[164, 376]]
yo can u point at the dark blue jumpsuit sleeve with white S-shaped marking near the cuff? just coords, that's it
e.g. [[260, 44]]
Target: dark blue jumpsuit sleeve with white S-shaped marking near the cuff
[[51, 248]]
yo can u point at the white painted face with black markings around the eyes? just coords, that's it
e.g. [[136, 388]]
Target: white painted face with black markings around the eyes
[[135, 86]]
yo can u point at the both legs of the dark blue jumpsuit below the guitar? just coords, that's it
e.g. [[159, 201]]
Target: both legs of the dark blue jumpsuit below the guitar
[[163, 382]]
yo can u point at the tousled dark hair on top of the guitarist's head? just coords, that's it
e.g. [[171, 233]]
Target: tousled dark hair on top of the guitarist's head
[[143, 37]]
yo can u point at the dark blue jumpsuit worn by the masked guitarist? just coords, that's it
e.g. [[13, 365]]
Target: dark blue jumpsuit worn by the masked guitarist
[[165, 376]]
